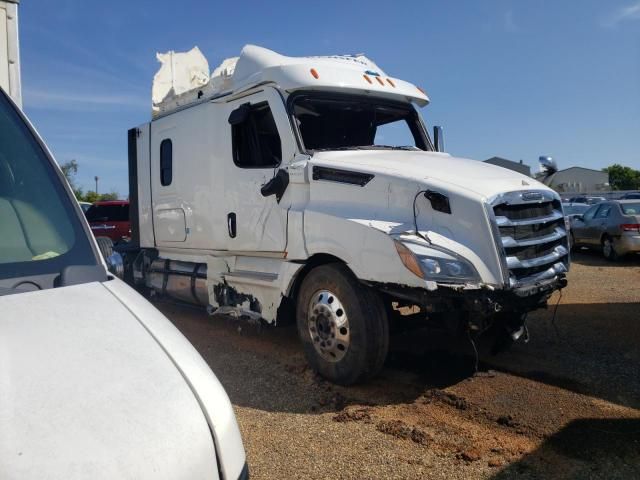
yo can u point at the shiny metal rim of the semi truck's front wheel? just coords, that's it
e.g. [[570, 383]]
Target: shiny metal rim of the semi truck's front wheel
[[328, 325]]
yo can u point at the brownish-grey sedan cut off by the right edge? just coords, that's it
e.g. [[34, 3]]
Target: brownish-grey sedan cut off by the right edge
[[613, 226]]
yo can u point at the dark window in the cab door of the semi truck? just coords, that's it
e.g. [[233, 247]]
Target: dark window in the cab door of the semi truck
[[255, 139]]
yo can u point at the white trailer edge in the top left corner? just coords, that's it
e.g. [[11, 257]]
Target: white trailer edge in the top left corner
[[10, 50]]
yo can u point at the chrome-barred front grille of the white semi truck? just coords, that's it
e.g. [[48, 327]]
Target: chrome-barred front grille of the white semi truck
[[532, 236]]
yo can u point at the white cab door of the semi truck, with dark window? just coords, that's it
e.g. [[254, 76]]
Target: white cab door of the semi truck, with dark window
[[260, 140]]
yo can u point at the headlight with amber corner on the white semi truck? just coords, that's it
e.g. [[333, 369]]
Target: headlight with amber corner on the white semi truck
[[436, 264]]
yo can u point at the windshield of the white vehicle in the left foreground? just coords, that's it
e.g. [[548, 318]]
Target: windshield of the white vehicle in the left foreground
[[39, 231]]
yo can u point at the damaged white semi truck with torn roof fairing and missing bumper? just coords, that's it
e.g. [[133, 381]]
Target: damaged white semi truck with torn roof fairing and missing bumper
[[310, 187]]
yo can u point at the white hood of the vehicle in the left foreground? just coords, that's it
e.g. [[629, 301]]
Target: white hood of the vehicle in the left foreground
[[87, 392]]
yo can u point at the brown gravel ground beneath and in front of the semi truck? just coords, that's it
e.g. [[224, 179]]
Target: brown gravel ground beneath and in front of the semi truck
[[565, 405]]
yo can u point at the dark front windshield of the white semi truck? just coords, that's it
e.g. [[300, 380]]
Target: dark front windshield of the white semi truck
[[344, 122]]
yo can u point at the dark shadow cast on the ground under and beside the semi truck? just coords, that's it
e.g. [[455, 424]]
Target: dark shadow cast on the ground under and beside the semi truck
[[591, 350]]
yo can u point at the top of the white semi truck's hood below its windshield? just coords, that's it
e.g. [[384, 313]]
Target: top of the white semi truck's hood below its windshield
[[481, 178]]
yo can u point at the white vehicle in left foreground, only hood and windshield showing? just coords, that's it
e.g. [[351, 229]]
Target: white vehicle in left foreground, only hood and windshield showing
[[94, 381]]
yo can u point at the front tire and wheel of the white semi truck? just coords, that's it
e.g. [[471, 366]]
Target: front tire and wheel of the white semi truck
[[342, 324]]
